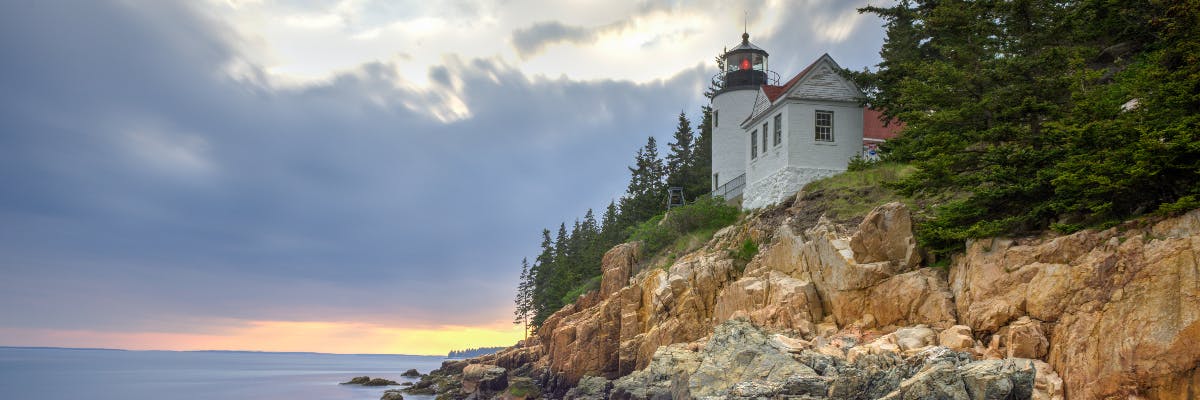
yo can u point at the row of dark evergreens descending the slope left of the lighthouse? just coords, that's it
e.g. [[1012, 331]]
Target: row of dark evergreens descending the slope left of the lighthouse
[[569, 262]]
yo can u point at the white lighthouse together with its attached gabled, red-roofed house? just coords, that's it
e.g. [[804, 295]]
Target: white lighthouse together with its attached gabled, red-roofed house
[[771, 139]]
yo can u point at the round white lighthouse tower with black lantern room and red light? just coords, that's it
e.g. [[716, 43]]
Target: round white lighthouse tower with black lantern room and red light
[[737, 87]]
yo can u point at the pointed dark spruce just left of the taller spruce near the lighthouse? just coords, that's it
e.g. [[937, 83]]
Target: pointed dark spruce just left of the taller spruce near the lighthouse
[[646, 195]]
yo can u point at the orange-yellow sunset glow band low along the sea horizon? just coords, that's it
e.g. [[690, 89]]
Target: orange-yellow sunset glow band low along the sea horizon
[[345, 338]]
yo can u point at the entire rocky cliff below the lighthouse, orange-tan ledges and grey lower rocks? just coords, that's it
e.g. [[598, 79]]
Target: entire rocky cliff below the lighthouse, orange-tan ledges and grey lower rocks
[[1091, 315]]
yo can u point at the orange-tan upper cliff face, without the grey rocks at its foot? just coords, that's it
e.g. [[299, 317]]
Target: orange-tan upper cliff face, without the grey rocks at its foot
[[1114, 313]]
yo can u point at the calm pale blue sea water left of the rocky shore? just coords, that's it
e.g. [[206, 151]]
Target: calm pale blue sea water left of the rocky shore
[[53, 374]]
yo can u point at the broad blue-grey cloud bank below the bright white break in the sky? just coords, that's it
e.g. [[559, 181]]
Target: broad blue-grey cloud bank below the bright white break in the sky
[[142, 187]]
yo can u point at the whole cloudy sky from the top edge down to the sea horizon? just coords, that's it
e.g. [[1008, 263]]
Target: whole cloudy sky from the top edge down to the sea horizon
[[345, 176]]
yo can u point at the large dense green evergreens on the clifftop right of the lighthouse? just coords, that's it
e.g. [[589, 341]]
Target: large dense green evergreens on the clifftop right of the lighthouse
[[1041, 115]]
